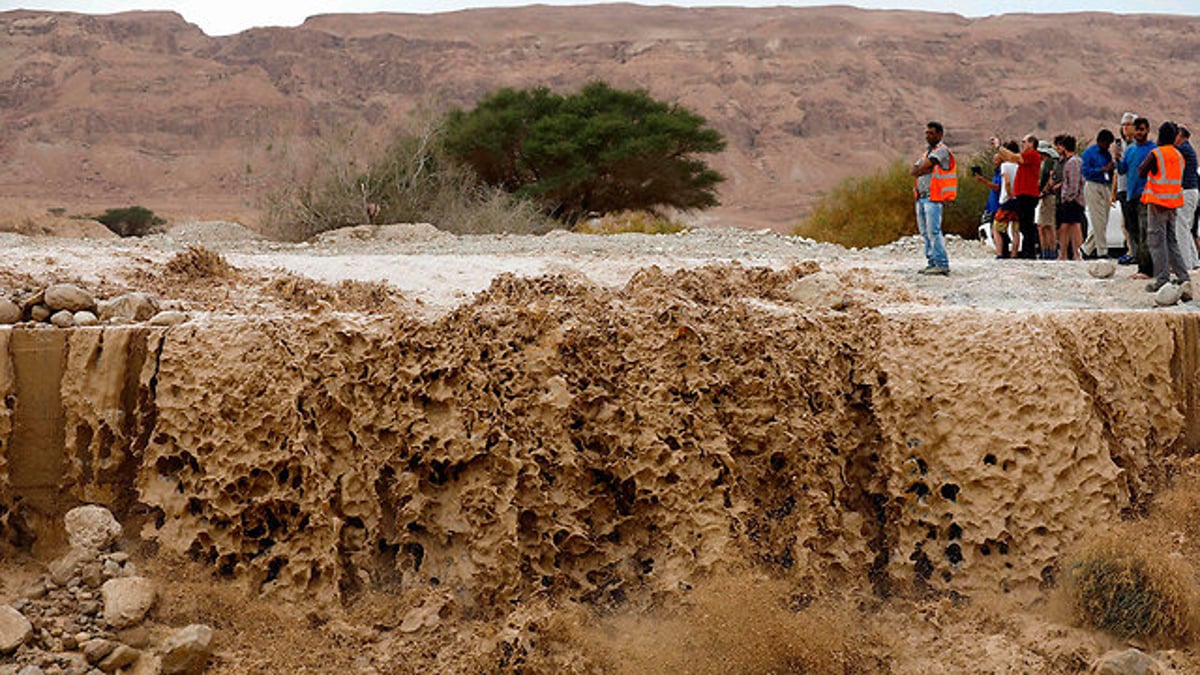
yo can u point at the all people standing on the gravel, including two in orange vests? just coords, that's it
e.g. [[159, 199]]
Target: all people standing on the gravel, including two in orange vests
[[1156, 184]]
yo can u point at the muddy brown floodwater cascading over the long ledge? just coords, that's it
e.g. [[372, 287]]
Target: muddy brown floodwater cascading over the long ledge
[[559, 439]]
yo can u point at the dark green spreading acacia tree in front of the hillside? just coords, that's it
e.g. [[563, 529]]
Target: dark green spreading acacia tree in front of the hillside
[[601, 151]]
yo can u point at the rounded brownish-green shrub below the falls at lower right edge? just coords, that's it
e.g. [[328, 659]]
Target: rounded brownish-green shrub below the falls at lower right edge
[[1131, 583]]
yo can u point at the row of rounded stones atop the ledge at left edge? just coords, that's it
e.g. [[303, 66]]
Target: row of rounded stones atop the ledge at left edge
[[68, 306]]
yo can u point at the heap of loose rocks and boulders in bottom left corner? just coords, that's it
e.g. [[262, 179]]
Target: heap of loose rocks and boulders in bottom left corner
[[86, 616]]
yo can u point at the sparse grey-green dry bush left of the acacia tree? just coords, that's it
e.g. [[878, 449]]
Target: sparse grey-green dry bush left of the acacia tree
[[349, 182]]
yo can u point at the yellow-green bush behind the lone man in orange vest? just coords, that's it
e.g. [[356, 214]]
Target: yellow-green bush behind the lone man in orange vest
[[878, 208]]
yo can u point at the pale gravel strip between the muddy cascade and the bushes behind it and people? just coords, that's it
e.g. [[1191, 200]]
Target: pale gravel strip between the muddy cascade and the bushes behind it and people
[[441, 271]]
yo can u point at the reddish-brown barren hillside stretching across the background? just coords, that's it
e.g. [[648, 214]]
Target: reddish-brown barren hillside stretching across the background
[[146, 109]]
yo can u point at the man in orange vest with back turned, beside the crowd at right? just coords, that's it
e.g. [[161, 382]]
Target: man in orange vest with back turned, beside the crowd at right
[[1163, 171]]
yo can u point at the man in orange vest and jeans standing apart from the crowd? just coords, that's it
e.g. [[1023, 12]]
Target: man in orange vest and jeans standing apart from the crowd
[[938, 182]]
